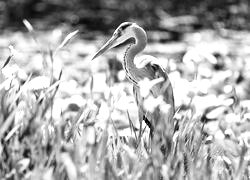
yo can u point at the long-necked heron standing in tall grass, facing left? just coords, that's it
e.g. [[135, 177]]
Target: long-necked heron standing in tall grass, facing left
[[139, 68]]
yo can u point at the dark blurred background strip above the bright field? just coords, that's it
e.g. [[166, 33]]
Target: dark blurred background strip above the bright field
[[103, 15]]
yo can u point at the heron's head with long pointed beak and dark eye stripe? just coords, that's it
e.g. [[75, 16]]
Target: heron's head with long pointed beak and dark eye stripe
[[123, 33]]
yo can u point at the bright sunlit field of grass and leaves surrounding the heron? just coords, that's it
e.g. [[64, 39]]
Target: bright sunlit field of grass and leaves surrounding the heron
[[65, 117]]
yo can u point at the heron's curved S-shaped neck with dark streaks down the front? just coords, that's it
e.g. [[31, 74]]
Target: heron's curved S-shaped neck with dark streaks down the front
[[132, 50]]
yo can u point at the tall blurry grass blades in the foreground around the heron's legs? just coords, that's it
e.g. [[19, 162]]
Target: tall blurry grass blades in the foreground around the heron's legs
[[37, 145]]
